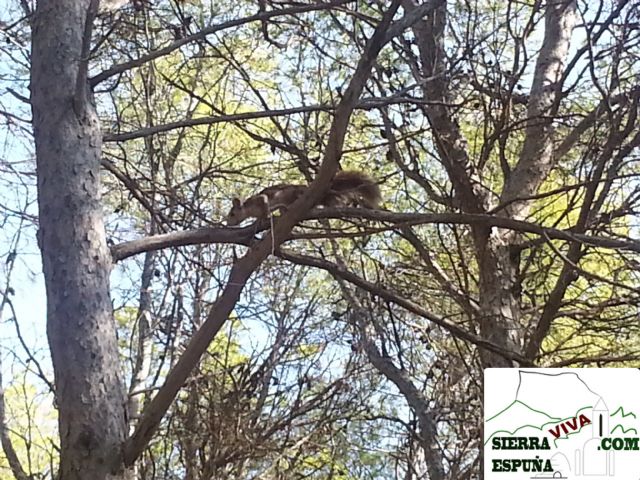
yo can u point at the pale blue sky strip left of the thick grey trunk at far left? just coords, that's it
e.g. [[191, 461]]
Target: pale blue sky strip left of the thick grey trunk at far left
[[17, 189]]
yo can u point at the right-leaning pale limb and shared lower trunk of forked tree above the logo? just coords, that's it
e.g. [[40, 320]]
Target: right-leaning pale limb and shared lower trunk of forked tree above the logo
[[499, 287]]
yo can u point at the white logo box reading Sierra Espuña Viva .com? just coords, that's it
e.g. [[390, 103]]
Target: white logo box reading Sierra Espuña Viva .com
[[581, 423]]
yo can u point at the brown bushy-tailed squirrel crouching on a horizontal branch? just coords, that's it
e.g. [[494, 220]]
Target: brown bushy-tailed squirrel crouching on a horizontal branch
[[348, 188]]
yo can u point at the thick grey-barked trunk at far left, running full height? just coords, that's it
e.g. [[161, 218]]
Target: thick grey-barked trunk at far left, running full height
[[76, 260]]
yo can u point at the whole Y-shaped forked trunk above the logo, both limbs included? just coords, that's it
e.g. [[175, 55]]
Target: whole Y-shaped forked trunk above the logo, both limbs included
[[500, 319]]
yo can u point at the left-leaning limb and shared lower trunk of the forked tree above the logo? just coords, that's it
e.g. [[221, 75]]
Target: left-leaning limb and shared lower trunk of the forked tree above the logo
[[498, 306]]
